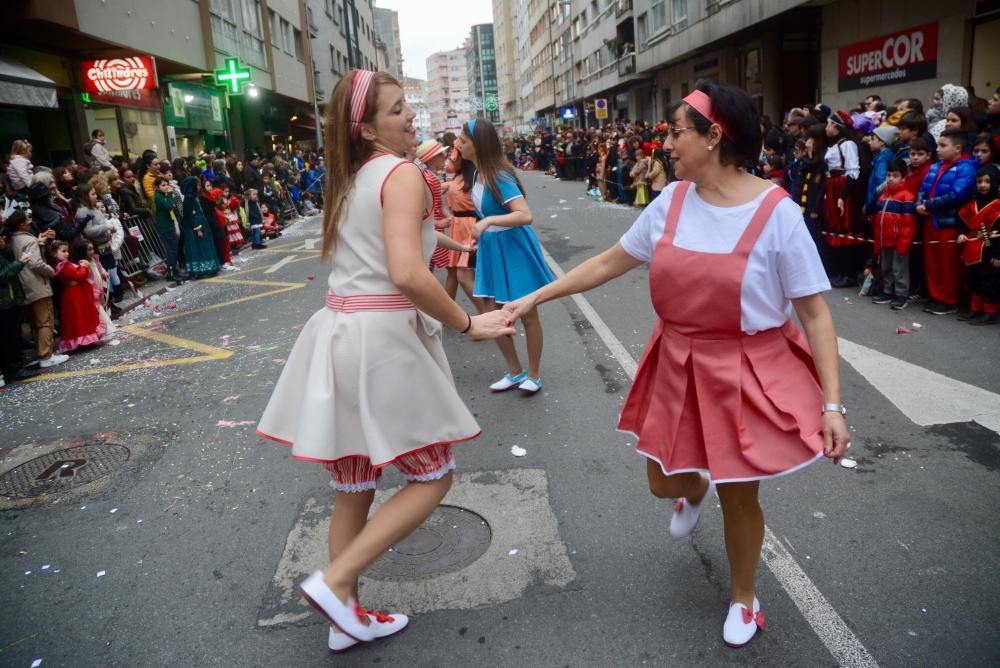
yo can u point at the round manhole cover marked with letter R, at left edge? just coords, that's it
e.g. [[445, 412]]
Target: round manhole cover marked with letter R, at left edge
[[63, 469]]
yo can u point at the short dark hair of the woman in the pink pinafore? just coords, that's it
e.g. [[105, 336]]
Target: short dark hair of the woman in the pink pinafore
[[741, 118]]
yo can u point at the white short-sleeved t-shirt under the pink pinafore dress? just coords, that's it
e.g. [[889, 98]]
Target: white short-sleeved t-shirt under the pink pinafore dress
[[783, 265]]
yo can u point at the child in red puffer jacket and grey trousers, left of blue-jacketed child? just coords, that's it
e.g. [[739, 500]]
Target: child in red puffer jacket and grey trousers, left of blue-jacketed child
[[895, 226]]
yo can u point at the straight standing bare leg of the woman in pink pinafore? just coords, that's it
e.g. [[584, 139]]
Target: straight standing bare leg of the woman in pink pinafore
[[743, 520]]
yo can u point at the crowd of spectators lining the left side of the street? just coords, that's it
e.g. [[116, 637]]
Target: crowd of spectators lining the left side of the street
[[77, 238]]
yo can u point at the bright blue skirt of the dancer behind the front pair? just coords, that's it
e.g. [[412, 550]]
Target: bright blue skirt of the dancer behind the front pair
[[510, 265]]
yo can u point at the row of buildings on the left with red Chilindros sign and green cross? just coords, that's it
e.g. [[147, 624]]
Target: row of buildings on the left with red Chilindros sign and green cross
[[54, 52]]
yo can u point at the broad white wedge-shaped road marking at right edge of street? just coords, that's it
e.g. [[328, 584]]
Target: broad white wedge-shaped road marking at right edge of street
[[924, 396]]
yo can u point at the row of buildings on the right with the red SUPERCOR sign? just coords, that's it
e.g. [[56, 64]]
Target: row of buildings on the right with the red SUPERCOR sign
[[639, 56]]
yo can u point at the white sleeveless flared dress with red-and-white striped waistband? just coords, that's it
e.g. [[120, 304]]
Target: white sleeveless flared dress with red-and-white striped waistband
[[368, 375]]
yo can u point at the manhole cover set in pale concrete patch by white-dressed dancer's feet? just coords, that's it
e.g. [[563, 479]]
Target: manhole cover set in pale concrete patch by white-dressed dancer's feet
[[450, 539]]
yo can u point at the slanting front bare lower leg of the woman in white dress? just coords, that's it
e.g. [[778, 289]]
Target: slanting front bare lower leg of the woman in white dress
[[393, 521]]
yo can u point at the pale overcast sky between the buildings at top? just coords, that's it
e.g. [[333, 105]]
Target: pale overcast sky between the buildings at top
[[426, 27]]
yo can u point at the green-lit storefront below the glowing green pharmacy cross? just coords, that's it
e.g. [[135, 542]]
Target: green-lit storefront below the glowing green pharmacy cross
[[196, 118]]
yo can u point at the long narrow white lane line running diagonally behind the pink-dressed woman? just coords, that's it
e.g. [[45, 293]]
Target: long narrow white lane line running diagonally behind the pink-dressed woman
[[826, 623]]
